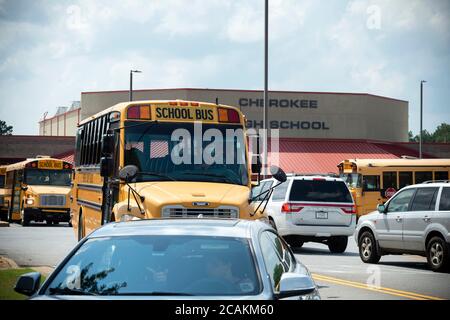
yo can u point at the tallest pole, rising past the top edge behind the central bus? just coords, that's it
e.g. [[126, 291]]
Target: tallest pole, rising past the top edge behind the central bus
[[266, 84]]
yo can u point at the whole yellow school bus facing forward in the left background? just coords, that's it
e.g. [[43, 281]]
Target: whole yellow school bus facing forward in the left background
[[39, 190]]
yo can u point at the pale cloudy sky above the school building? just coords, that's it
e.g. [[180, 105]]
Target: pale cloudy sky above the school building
[[50, 50]]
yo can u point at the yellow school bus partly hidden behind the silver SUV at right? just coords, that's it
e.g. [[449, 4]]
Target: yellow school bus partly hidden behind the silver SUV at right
[[374, 181]]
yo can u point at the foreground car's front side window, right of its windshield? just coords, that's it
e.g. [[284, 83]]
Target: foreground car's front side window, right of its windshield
[[272, 260]]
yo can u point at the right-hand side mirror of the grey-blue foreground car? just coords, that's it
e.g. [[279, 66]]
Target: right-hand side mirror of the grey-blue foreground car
[[293, 284]]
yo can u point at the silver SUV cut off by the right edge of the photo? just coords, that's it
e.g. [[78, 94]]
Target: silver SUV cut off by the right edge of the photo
[[416, 220]]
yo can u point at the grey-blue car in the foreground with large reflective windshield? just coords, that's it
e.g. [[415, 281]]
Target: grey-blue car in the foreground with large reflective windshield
[[177, 259]]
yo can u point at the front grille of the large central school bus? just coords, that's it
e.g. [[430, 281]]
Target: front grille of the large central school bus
[[220, 212]]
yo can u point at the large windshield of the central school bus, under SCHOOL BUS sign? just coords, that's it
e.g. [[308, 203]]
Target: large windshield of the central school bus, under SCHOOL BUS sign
[[171, 151]]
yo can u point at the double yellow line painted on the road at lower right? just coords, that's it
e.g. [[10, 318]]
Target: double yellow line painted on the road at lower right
[[395, 292]]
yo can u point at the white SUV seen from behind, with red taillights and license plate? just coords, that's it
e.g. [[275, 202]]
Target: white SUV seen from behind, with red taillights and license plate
[[311, 208]]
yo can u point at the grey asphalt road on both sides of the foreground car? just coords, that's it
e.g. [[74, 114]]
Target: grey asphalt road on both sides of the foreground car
[[339, 276]]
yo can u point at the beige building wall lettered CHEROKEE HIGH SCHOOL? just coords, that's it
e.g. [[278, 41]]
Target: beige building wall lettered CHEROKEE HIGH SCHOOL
[[296, 114]]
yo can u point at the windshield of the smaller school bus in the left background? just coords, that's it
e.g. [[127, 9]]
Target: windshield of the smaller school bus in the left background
[[48, 177]]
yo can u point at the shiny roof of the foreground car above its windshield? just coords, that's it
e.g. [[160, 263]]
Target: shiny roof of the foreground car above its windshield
[[181, 226]]
